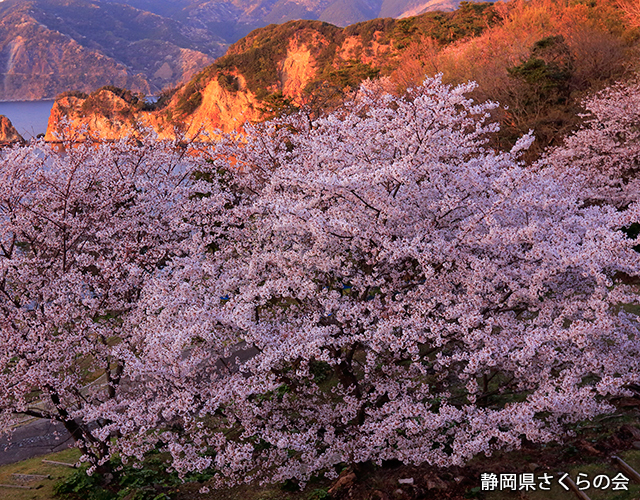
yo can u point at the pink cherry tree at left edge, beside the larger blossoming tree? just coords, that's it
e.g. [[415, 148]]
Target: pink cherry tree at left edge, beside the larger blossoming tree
[[82, 230]]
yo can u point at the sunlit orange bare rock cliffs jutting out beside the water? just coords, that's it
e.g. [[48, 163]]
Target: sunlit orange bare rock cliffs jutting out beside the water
[[224, 95]]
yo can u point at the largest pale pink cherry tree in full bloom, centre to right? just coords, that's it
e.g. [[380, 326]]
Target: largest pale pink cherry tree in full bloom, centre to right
[[379, 286]]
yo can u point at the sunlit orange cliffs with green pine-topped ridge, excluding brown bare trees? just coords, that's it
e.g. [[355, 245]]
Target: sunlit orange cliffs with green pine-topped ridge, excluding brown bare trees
[[277, 68]]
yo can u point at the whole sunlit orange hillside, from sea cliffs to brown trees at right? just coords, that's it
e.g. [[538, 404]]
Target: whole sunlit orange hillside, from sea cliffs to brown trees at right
[[539, 59]]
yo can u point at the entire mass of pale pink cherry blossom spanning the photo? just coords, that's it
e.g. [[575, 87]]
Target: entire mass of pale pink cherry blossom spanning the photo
[[375, 284]]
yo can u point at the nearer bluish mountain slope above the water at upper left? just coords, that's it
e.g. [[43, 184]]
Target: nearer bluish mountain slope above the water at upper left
[[49, 46]]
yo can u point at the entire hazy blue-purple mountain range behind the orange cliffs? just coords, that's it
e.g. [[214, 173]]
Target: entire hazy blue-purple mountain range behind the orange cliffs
[[51, 46]]
